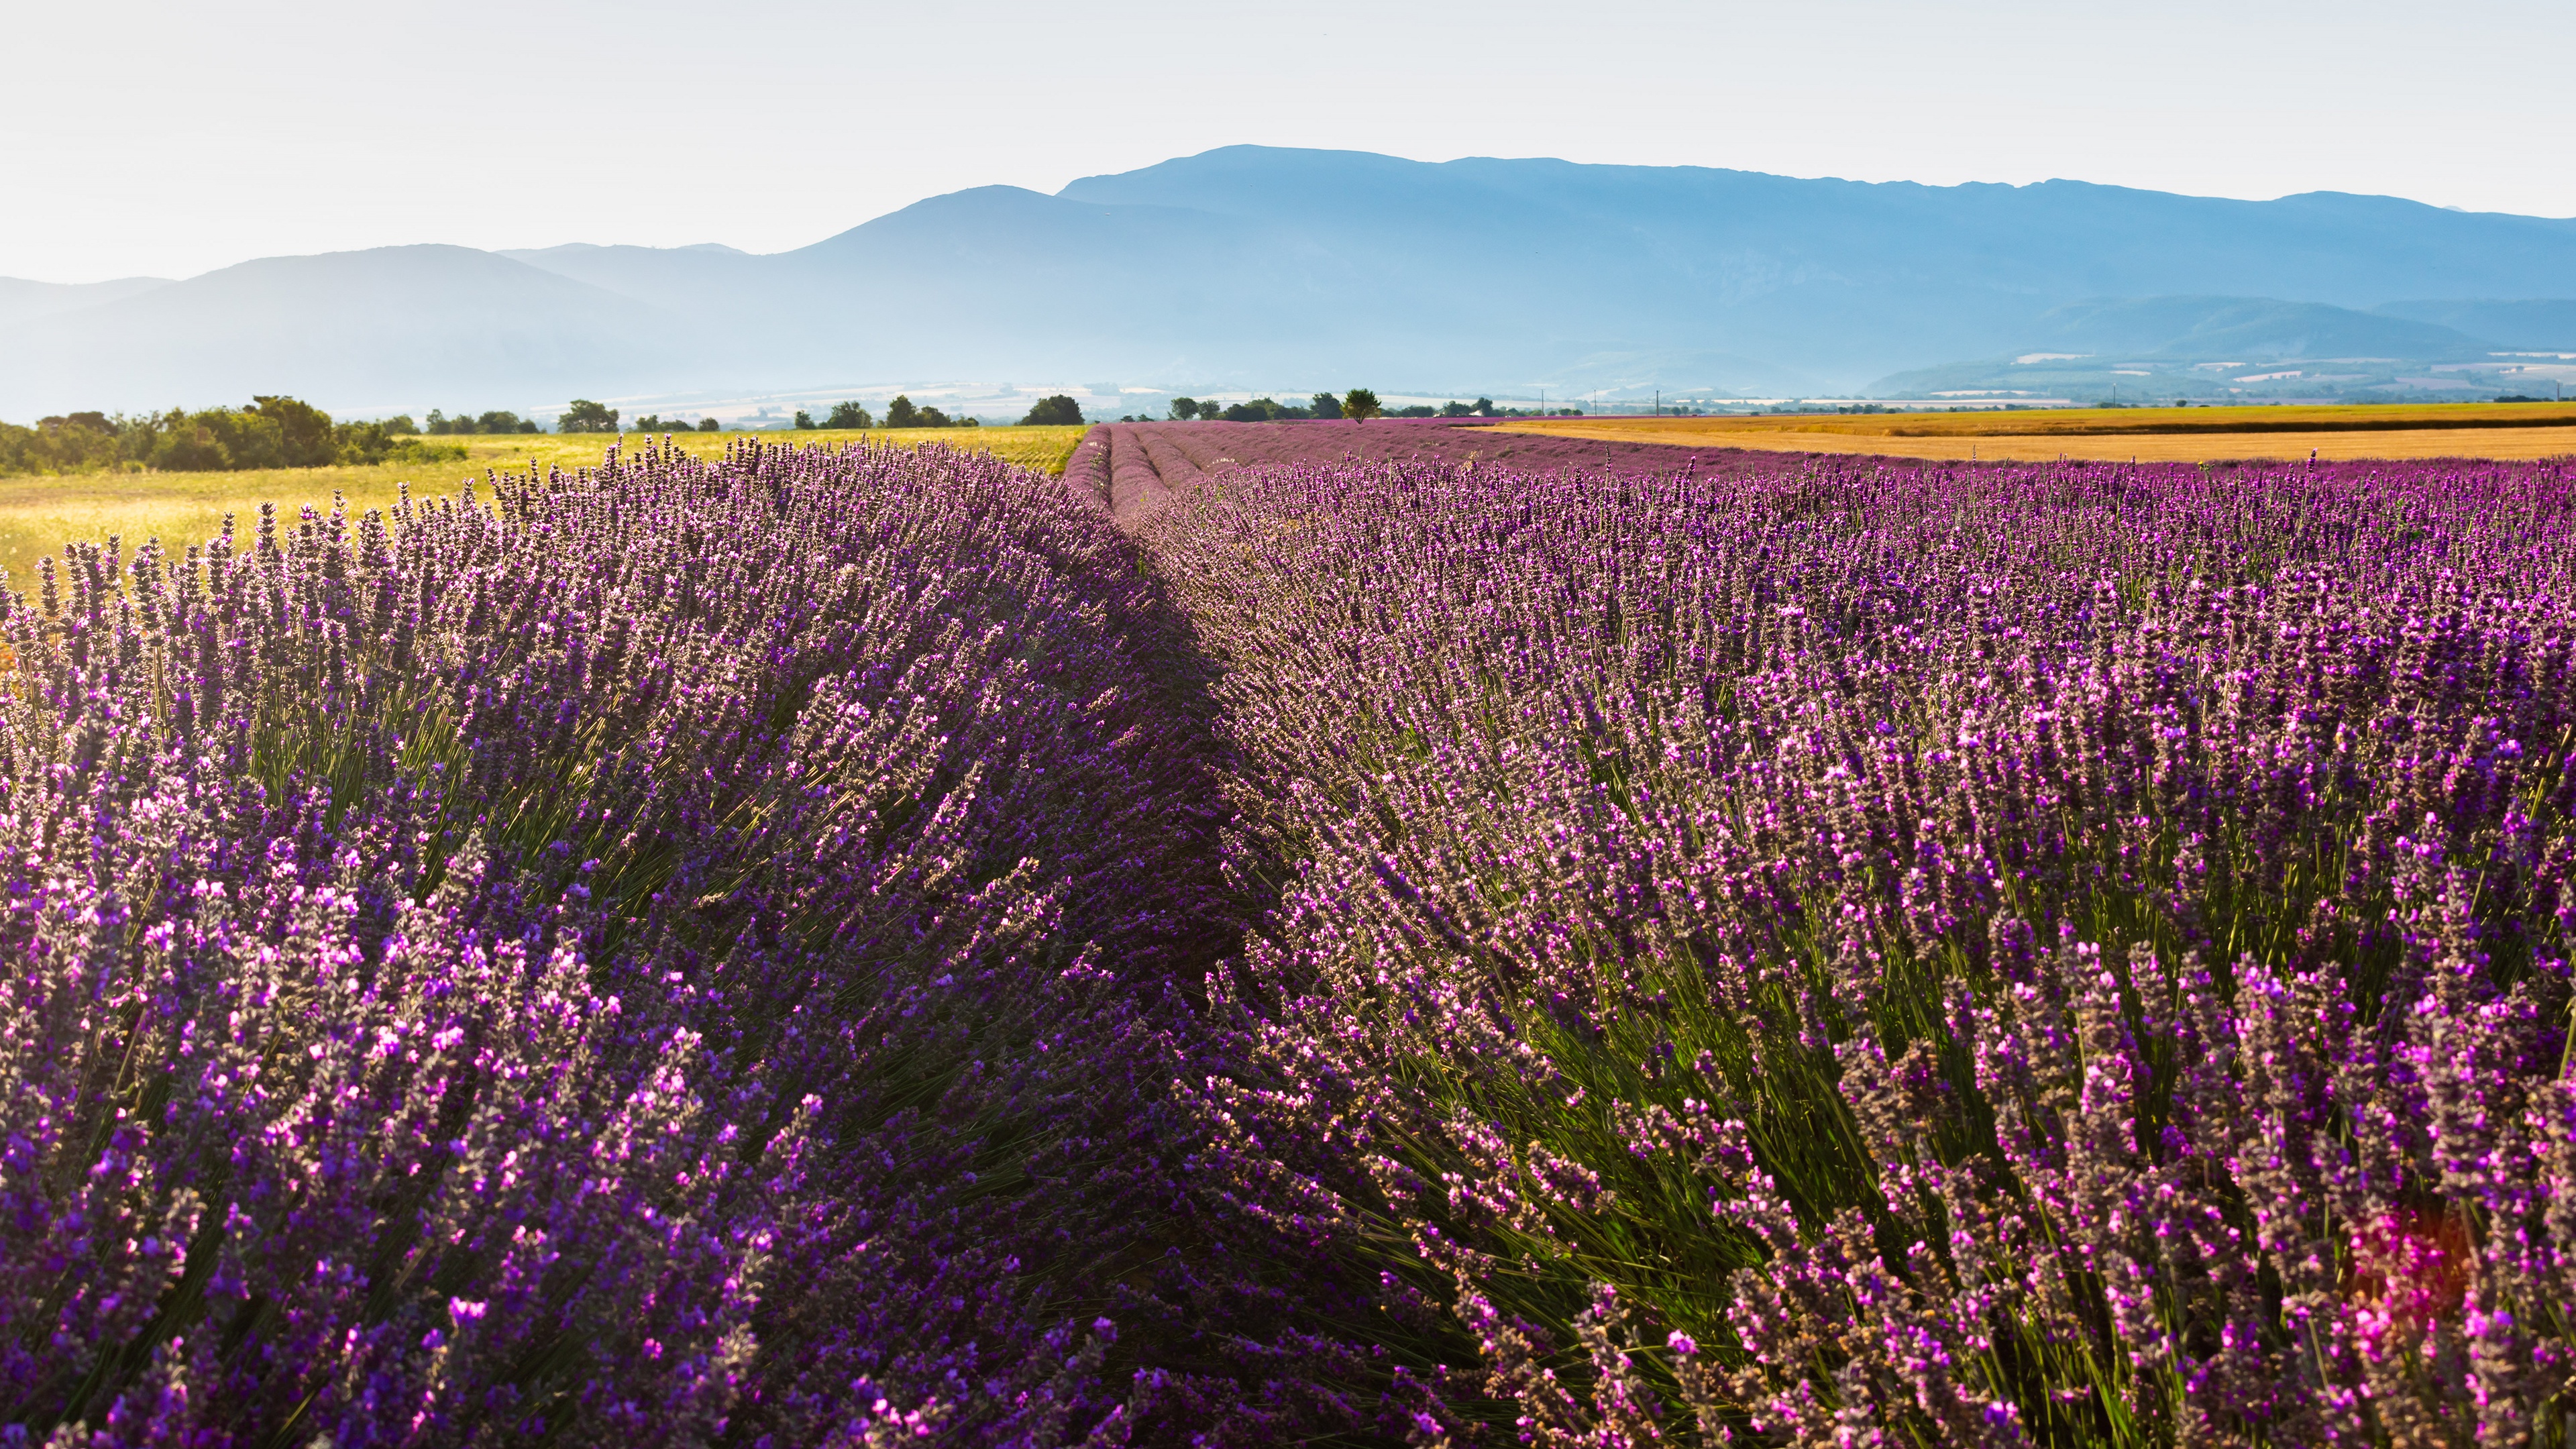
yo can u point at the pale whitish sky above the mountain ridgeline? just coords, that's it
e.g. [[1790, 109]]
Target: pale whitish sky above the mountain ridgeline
[[171, 138]]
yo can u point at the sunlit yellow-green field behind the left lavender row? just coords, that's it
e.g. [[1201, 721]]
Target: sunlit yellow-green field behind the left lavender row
[[40, 514]]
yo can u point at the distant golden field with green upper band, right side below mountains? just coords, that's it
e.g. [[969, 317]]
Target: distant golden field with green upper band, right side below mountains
[[2150, 434]]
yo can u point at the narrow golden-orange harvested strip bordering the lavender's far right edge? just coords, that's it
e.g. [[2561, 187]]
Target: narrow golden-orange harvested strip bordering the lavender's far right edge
[[1817, 437]]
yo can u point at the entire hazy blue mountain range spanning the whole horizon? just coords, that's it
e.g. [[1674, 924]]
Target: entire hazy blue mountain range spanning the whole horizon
[[1258, 267]]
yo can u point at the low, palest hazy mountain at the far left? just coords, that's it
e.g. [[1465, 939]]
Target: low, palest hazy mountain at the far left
[[377, 329]]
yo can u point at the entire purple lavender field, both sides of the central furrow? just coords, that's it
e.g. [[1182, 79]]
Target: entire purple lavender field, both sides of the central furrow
[[880, 948]]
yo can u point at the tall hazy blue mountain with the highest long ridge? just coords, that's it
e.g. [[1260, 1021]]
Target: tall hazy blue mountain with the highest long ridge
[[1258, 264]]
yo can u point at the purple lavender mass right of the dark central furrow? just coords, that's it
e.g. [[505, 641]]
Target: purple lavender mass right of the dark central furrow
[[1879, 955]]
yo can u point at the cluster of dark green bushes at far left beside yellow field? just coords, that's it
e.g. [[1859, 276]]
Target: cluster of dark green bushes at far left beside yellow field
[[272, 432]]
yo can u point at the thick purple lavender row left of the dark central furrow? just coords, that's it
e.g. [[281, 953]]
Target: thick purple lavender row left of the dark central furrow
[[674, 950]]
